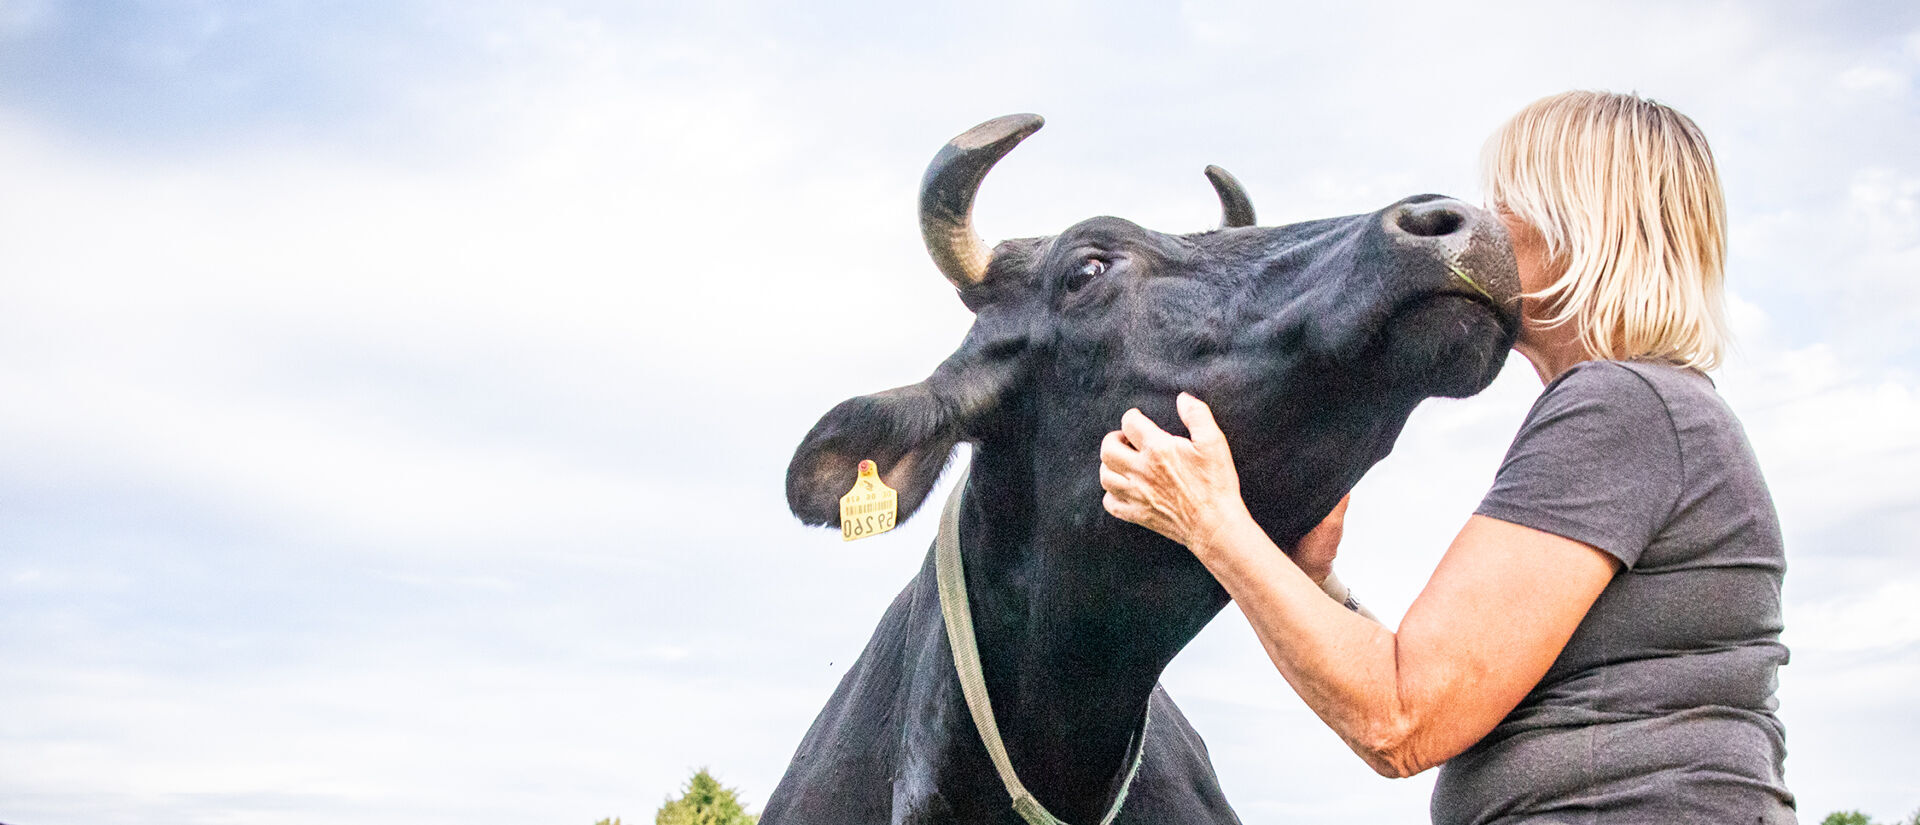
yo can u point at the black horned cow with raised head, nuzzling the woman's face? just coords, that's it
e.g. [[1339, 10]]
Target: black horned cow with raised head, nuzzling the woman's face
[[1312, 342]]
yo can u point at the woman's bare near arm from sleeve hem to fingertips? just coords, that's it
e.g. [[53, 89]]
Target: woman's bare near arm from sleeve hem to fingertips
[[1485, 630]]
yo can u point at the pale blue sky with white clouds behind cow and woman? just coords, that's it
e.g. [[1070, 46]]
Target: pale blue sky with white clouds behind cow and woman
[[395, 396]]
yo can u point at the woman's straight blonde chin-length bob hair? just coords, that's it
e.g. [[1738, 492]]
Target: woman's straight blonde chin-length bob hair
[[1627, 199]]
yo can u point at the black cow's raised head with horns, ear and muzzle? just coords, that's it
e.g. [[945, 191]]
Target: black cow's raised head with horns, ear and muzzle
[[1312, 342]]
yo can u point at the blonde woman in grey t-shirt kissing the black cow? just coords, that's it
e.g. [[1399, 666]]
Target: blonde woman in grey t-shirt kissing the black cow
[[1600, 642]]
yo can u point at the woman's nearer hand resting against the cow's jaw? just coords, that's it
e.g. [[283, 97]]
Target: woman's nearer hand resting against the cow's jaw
[[1182, 488]]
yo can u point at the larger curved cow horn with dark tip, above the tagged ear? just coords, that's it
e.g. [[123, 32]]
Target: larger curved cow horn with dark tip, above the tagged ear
[[948, 195]]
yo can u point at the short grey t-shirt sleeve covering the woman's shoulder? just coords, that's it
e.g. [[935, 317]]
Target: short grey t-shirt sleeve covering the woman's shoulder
[[1596, 461]]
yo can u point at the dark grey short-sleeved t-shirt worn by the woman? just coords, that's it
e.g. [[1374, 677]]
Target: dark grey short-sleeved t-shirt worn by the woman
[[1662, 707]]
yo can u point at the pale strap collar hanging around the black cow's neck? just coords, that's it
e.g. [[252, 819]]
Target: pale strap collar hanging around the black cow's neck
[[959, 617]]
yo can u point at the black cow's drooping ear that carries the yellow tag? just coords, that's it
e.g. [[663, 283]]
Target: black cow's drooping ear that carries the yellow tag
[[909, 433]]
